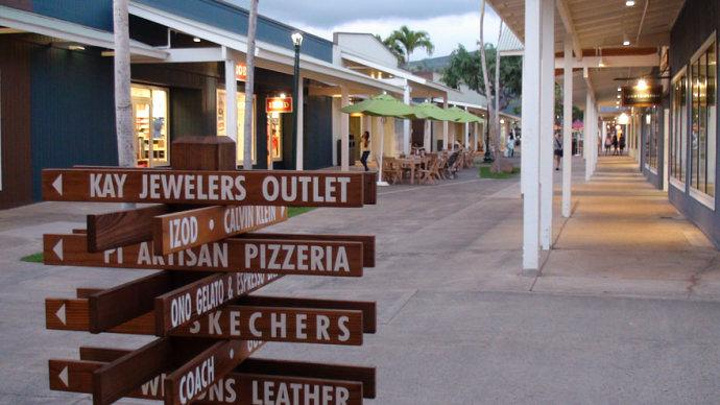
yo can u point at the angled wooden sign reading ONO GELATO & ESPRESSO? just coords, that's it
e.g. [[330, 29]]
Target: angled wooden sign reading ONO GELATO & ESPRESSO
[[185, 304]]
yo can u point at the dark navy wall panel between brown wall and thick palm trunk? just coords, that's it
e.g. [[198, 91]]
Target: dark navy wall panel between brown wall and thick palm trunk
[[72, 109]]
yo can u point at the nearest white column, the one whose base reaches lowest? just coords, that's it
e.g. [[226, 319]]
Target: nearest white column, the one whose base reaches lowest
[[531, 137]]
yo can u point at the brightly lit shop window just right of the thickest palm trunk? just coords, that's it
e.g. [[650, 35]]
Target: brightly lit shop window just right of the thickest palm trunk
[[150, 115]]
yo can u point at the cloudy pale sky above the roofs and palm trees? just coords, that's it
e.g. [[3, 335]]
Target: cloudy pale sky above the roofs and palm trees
[[448, 22]]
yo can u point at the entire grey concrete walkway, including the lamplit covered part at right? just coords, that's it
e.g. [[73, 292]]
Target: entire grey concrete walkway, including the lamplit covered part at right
[[624, 310]]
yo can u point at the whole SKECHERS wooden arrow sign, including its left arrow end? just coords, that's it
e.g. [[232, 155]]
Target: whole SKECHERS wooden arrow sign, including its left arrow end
[[330, 322]]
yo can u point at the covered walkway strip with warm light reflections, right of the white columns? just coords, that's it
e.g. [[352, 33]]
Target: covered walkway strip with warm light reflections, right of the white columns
[[624, 237]]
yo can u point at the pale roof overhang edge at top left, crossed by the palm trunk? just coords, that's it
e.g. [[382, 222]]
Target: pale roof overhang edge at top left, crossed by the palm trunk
[[71, 32]]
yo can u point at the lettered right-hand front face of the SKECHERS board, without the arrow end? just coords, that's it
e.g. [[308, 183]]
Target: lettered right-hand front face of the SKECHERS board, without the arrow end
[[298, 325]]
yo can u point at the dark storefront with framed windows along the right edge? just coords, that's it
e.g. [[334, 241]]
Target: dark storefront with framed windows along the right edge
[[694, 119]]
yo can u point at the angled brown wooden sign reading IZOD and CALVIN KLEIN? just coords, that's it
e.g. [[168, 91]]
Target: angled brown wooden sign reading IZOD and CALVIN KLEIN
[[183, 230]]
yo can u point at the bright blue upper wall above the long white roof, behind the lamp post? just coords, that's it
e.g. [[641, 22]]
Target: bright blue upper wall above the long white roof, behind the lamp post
[[235, 19]]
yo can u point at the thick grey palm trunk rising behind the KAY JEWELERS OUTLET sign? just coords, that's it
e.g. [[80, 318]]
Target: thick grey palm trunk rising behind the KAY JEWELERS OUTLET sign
[[123, 102]]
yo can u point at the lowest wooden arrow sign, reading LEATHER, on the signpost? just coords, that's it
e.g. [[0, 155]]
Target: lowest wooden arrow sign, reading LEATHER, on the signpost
[[243, 387]]
